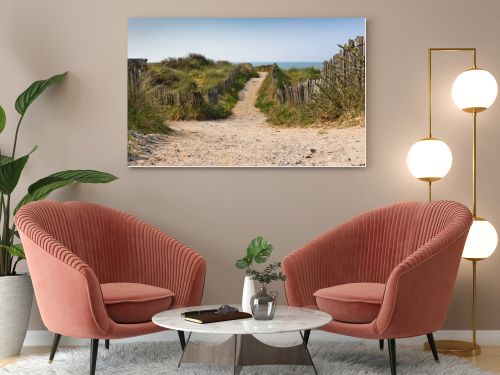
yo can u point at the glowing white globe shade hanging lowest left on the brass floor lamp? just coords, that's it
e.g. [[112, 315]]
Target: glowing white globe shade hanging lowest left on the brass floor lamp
[[429, 159]]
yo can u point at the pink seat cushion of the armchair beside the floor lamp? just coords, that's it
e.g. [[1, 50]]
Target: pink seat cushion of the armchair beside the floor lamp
[[351, 303]]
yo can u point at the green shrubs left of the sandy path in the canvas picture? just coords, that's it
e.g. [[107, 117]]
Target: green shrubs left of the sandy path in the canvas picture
[[193, 73]]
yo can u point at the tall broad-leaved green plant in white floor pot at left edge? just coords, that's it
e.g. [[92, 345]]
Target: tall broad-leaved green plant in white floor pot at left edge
[[16, 291]]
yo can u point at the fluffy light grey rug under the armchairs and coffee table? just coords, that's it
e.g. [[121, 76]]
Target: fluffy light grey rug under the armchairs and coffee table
[[162, 357]]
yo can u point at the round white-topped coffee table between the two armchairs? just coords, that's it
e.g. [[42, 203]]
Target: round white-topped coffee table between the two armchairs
[[242, 348]]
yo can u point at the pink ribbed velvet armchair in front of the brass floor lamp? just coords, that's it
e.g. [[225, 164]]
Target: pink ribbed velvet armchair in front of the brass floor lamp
[[385, 274]]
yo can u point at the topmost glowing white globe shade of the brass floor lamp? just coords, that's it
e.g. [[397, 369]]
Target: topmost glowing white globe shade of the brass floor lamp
[[474, 90]]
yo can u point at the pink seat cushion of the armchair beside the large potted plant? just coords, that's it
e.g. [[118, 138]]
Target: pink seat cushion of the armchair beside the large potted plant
[[135, 303]]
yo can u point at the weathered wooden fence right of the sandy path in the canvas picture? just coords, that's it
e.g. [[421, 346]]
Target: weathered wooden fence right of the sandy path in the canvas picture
[[348, 64]]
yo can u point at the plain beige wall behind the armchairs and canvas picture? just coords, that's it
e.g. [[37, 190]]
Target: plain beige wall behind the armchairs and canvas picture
[[82, 124]]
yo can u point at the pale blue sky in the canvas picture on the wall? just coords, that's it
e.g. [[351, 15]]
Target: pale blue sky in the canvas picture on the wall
[[241, 39]]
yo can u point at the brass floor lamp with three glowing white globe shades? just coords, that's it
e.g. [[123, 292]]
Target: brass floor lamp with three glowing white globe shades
[[473, 91]]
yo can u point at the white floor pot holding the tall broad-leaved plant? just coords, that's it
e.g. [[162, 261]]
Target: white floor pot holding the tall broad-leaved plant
[[16, 298]]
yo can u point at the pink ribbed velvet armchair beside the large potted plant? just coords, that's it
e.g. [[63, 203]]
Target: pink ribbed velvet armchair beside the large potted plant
[[99, 273]]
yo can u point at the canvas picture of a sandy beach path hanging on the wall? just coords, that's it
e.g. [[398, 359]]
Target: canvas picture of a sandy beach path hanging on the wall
[[246, 92]]
